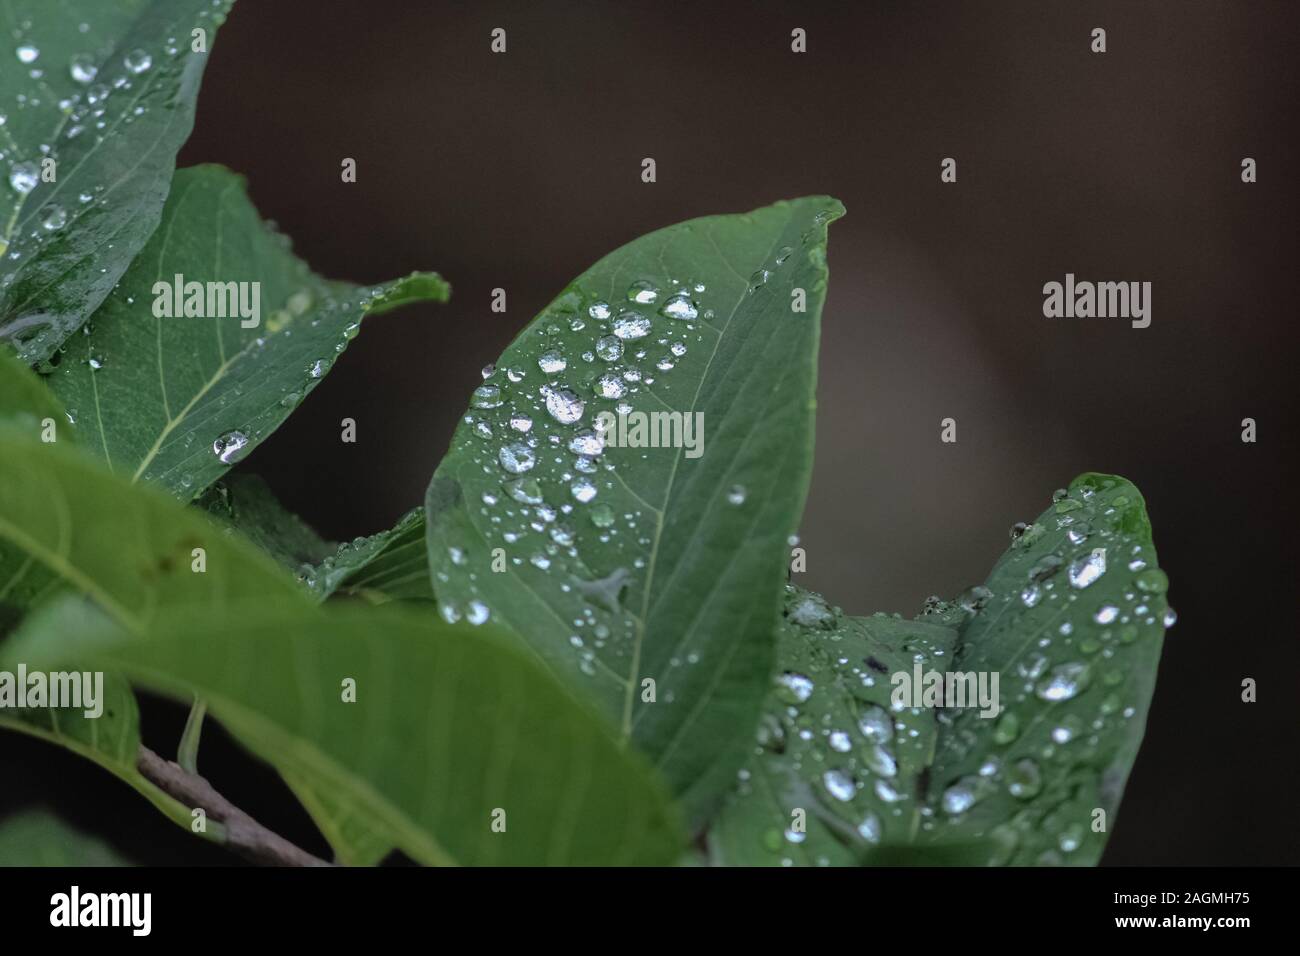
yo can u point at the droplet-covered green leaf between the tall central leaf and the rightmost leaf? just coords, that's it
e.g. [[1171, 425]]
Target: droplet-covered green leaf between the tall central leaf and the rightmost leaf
[[838, 773]]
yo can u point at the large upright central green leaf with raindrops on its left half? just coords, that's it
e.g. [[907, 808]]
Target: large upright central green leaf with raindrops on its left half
[[660, 577]]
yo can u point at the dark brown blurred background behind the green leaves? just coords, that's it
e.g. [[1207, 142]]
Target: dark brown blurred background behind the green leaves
[[519, 171]]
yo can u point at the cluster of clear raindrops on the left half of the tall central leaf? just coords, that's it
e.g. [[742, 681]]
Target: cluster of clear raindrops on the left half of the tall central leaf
[[556, 496]]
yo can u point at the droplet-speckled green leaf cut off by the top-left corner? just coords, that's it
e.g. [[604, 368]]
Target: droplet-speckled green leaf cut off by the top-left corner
[[106, 93]]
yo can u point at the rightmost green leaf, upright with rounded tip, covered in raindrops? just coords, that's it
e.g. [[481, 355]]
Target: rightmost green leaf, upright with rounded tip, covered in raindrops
[[1074, 624]]
